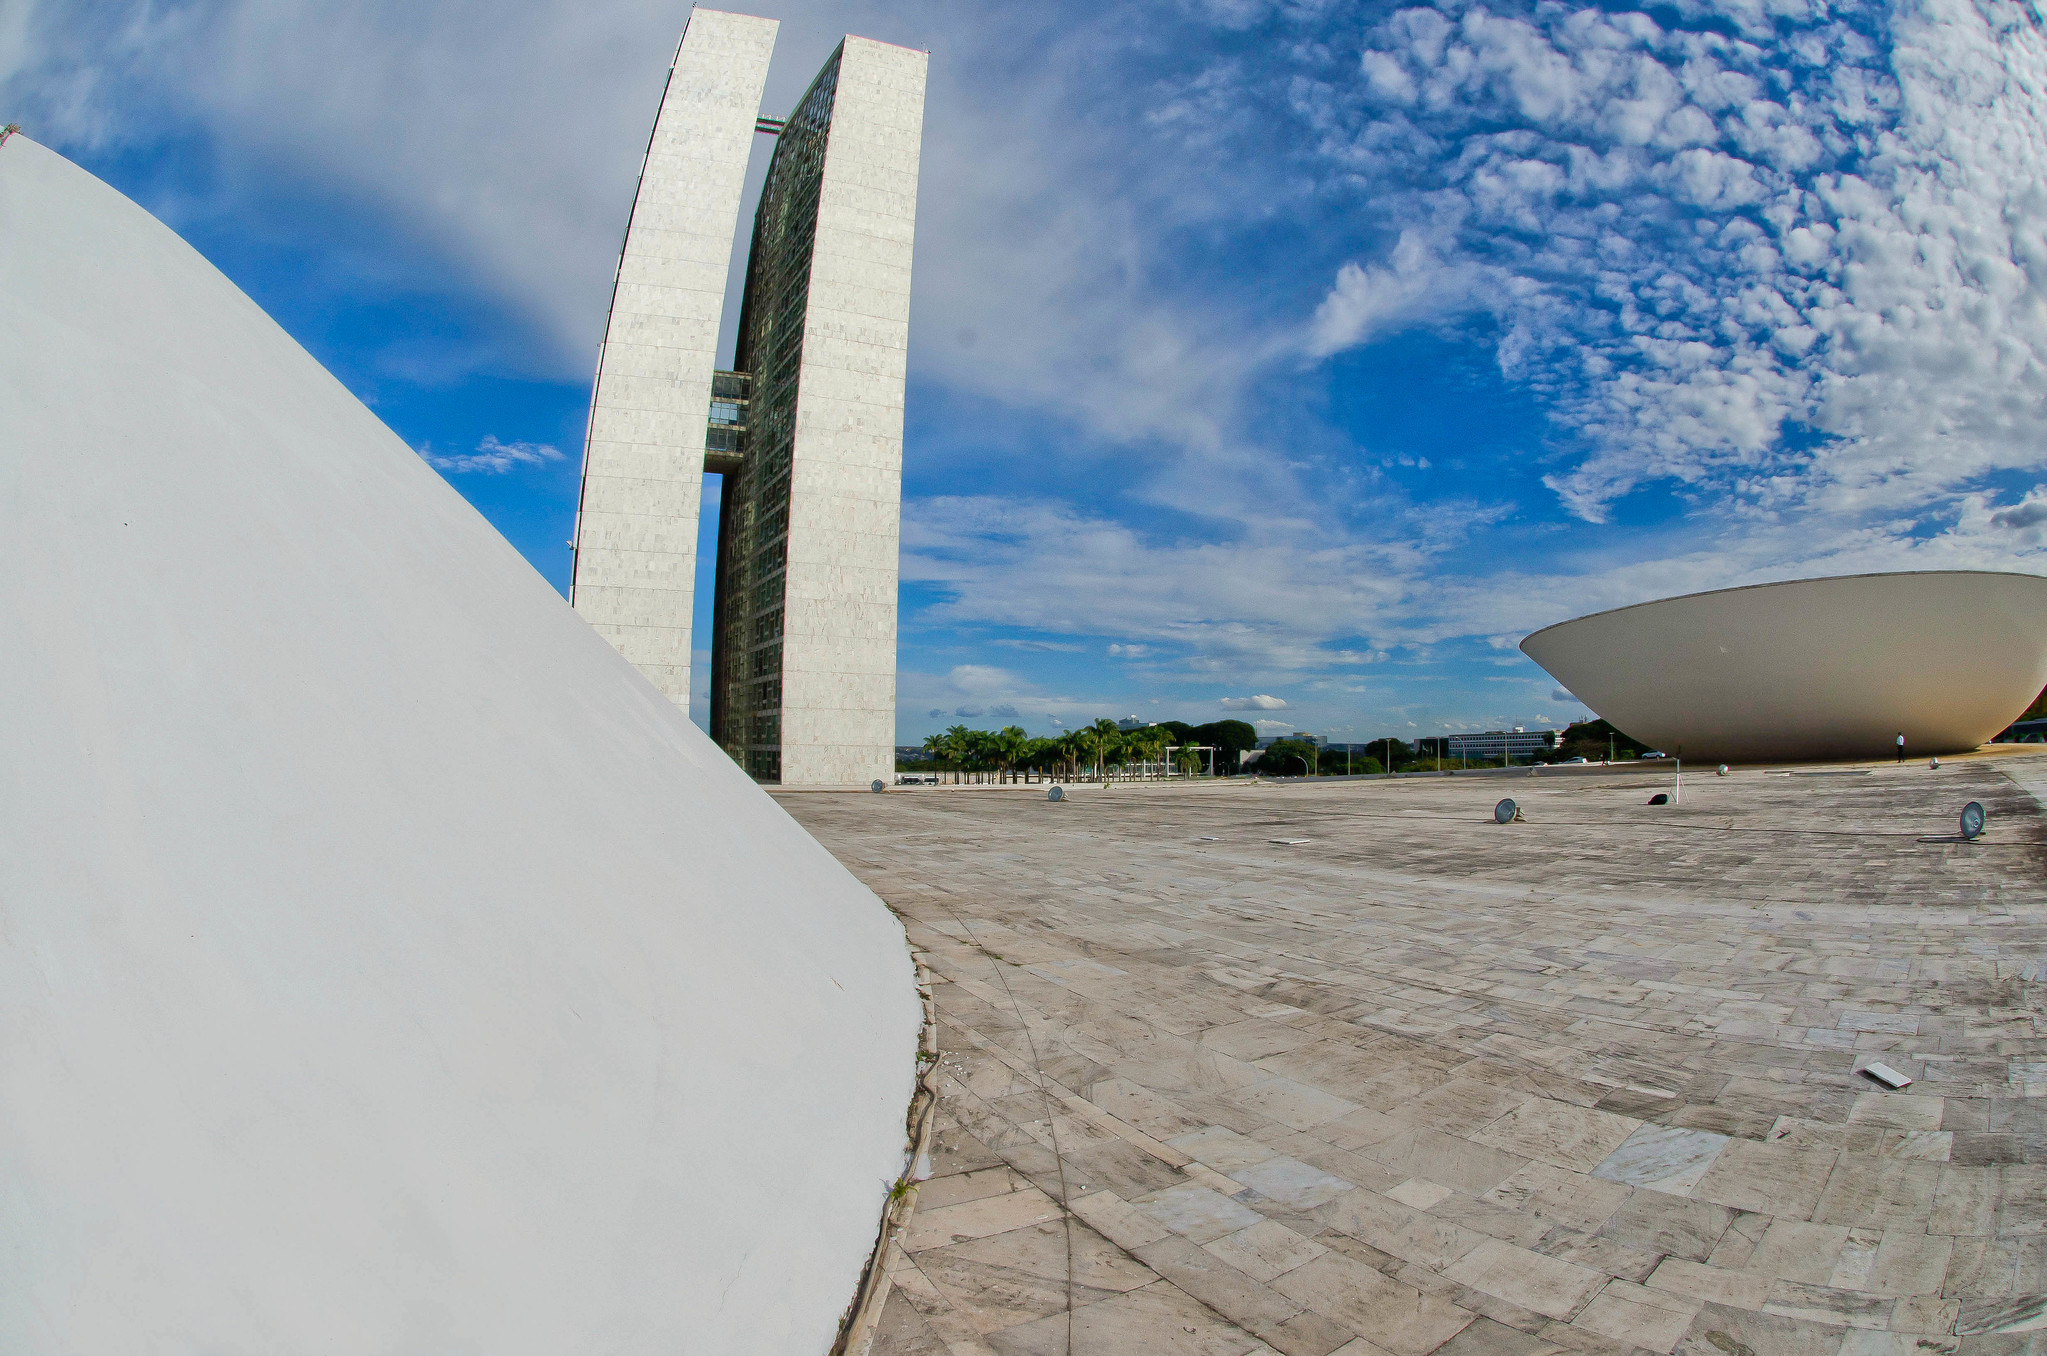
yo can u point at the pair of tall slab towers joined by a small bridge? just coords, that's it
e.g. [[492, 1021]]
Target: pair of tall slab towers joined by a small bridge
[[805, 429]]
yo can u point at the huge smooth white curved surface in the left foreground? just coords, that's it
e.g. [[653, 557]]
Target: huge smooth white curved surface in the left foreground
[[384, 964]]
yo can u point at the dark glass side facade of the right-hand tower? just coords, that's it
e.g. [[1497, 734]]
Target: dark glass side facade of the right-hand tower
[[746, 650]]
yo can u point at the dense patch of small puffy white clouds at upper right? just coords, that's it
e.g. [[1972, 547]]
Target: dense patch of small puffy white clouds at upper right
[[1792, 261]]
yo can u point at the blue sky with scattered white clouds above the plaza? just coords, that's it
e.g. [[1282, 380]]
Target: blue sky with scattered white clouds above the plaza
[[1268, 359]]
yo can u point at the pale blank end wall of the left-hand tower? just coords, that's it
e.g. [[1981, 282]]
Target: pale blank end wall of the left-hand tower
[[644, 462]]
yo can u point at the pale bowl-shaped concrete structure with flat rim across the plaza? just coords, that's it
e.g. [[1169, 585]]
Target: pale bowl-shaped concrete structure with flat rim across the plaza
[[1813, 669]]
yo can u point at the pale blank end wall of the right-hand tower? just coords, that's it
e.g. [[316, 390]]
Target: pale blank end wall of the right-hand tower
[[846, 489]]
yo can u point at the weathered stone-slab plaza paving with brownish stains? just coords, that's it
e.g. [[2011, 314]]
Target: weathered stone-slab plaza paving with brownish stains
[[1434, 1085]]
